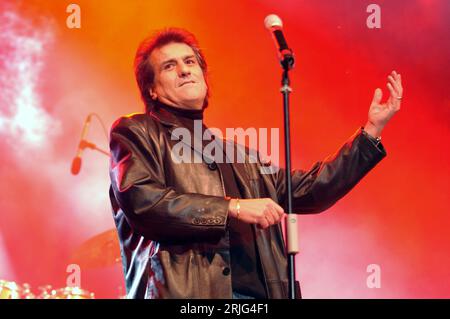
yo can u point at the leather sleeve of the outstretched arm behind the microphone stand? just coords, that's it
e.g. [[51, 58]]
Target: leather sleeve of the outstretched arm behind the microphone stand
[[329, 180]]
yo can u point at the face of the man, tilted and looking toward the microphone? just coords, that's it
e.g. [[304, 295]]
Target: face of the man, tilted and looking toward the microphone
[[179, 79]]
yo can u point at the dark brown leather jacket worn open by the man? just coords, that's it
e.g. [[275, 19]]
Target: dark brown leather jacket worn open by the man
[[172, 218]]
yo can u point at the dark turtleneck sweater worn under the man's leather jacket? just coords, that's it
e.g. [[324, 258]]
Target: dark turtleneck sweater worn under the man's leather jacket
[[246, 273]]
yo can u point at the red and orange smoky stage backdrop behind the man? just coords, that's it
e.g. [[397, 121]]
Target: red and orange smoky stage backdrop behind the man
[[398, 218]]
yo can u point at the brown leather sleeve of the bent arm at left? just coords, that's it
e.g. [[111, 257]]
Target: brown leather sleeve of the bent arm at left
[[153, 209]]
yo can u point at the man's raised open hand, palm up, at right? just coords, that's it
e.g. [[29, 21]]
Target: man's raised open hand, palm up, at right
[[381, 113]]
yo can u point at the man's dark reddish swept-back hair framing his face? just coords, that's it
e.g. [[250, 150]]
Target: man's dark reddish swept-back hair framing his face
[[143, 70]]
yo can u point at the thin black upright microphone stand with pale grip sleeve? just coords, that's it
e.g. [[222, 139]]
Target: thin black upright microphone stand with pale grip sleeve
[[287, 62]]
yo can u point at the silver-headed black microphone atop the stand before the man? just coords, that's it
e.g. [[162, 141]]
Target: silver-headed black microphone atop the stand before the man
[[274, 24]]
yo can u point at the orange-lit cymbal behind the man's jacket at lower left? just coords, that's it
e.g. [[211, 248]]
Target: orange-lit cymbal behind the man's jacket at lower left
[[100, 251]]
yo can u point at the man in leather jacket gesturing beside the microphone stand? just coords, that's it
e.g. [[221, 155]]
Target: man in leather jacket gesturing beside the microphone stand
[[212, 230]]
